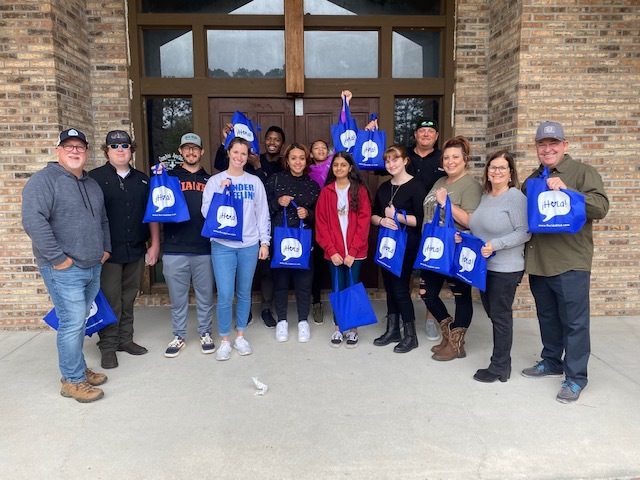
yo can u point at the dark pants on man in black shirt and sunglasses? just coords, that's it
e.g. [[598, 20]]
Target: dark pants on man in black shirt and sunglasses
[[120, 283]]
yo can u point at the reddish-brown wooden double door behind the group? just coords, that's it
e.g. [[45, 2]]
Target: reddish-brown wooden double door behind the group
[[311, 121]]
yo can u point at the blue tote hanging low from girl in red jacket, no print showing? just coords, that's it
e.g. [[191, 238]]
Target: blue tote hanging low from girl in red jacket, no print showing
[[351, 306]]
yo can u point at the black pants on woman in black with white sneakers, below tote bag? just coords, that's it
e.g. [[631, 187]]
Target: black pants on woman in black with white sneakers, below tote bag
[[282, 278]]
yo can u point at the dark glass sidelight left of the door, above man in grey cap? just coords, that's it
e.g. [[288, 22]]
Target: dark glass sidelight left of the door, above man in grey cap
[[168, 119]]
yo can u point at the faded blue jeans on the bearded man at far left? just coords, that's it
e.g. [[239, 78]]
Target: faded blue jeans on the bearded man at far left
[[72, 292]]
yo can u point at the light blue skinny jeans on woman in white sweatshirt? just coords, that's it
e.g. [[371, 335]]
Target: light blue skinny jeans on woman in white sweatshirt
[[233, 269]]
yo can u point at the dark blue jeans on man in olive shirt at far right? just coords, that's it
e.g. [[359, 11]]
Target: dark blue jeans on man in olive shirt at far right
[[562, 305]]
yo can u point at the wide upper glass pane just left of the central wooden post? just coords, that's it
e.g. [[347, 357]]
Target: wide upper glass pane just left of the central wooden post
[[246, 53]]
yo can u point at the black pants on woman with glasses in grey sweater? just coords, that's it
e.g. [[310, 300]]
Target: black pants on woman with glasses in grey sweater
[[497, 300]]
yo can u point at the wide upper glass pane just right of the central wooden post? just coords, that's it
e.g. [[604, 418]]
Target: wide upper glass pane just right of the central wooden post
[[341, 54]]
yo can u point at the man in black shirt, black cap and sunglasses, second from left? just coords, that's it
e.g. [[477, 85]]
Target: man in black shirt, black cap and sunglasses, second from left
[[125, 189]]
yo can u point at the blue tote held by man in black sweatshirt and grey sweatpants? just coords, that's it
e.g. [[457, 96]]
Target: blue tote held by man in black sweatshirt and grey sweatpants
[[166, 203]]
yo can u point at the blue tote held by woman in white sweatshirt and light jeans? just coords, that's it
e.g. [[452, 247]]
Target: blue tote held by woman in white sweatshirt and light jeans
[[224, 217]]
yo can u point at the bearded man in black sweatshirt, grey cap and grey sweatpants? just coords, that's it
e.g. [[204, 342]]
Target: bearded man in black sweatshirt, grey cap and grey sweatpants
[[186, 254]]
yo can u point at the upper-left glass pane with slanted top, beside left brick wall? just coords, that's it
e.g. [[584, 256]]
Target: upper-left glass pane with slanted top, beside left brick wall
[[168, 53]]
